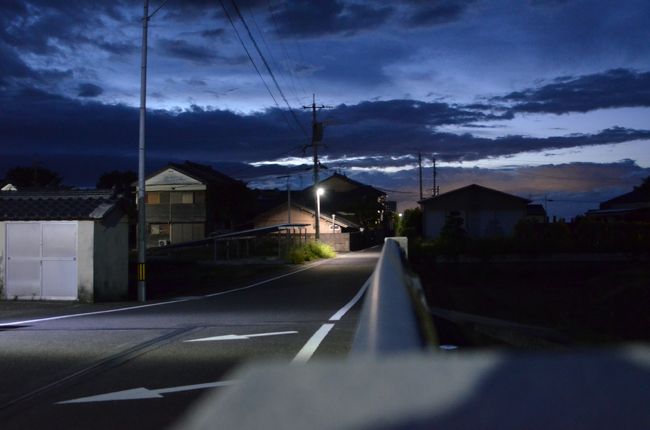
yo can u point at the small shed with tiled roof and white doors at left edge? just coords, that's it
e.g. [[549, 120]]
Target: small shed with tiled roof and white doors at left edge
[[63, 245]]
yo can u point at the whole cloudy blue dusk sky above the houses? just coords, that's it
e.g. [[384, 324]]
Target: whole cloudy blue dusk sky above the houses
[[541, 98]]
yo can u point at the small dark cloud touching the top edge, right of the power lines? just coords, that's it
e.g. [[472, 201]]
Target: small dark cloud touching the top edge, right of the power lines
[[307, 18]]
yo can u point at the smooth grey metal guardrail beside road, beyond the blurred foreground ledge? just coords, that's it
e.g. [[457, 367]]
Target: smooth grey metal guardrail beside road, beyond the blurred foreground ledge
[[394, 317]]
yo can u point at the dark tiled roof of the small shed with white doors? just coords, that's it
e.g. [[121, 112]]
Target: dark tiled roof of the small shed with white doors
[[57, 205]]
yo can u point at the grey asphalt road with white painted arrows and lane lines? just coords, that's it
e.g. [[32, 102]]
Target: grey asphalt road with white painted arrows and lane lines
[[143, 367]]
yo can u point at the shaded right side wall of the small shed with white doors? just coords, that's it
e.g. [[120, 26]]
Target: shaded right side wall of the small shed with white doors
[[111, 267]]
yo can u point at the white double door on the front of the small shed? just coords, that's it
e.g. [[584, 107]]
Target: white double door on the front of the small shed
[[42, 260]]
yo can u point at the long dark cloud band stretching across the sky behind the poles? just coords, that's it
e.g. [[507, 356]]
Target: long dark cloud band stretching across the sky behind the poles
[[392, 128]]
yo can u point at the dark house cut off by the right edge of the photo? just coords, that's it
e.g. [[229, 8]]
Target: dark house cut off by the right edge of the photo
[[629, 207]]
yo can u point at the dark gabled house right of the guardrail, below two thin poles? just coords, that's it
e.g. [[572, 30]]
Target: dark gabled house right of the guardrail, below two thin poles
[[485, 212]]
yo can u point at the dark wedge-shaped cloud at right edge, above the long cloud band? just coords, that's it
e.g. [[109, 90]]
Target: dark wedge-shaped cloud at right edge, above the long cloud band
[[612, 89]]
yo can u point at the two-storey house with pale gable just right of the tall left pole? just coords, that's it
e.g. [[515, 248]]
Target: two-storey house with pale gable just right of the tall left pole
[[186, 202]]
